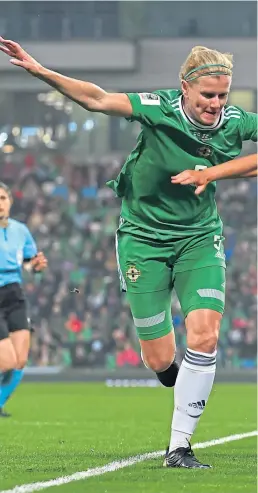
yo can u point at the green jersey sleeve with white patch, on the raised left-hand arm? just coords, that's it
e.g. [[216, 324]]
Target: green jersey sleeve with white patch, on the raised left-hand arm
[[146, 107]]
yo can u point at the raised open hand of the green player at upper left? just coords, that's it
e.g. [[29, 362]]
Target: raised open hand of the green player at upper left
[[19, 56]]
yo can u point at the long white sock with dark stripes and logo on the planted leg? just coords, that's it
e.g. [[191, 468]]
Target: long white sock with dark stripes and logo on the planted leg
[[193, 386]]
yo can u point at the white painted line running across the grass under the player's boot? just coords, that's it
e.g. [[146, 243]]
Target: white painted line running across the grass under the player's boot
[[115, 466]]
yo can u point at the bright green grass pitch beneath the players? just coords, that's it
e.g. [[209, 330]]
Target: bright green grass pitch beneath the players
[[59, 429]]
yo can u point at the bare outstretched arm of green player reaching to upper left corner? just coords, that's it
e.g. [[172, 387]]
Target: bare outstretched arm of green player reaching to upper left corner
[[88, 95]]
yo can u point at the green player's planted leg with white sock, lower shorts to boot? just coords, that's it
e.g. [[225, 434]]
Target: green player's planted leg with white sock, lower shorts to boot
[[201, 293]]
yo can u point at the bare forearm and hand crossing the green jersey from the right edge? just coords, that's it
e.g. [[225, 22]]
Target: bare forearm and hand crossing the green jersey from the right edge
[[243, 167]]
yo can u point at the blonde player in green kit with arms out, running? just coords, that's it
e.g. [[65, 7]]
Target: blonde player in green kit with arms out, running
[[169, 236]]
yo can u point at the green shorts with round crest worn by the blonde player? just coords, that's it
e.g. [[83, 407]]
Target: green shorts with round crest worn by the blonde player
[[150, 269]]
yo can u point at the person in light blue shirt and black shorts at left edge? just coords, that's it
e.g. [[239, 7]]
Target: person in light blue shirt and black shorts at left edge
[[17, 247]]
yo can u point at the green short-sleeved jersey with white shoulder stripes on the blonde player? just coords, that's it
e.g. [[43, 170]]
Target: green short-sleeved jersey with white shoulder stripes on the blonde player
[[171, 142]]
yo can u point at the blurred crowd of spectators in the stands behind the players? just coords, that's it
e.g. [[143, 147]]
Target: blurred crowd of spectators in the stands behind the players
[[73, 217]]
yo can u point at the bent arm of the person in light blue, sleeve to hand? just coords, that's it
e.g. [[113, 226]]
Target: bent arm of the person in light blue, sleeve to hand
[[32, 259]]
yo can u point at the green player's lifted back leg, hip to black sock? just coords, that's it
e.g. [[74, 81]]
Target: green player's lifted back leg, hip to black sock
[[146, 278]]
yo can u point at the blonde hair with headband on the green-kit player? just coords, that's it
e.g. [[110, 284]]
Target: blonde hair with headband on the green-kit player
[[200, 55]]
